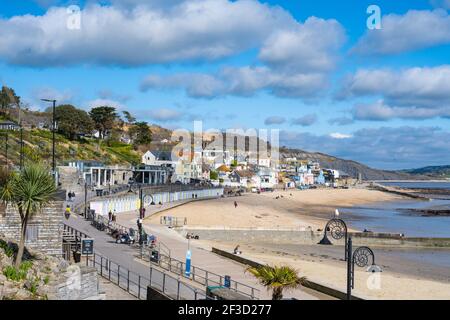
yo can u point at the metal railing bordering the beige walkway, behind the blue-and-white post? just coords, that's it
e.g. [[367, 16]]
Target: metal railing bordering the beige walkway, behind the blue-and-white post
[[200, 275]]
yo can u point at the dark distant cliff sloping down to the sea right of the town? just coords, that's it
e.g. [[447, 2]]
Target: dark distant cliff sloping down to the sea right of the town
[[352, 168]]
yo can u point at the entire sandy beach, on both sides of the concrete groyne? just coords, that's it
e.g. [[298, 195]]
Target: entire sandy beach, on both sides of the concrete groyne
[[407, 274]]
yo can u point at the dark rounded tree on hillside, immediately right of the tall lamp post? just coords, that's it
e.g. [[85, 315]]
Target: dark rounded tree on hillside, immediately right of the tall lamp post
[[72, 121]]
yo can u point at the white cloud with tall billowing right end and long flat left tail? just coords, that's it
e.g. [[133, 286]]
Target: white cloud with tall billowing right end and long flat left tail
[[297, 59]]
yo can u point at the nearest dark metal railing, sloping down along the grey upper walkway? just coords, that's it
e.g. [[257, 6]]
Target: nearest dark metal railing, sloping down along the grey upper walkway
[[136, 284]]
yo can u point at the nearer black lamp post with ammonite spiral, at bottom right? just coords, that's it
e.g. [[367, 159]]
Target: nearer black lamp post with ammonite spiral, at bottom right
[[361, 257]]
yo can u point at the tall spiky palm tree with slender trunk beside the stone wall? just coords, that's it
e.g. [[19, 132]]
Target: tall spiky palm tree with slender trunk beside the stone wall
[[29, 191]]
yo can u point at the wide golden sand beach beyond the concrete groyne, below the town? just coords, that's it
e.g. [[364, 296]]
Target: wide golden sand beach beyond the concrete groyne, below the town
[[293, 209]]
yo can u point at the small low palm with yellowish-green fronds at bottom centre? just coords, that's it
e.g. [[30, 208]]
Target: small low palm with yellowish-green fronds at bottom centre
[[278, 278]]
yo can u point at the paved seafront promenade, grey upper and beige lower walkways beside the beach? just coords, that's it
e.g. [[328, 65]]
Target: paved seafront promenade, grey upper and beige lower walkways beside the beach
[[201, 257]]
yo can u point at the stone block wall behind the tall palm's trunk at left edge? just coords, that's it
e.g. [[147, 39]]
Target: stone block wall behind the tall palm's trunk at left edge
[[44, 228]]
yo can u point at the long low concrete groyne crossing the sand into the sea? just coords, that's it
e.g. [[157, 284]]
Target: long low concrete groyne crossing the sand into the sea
[[311, 237]]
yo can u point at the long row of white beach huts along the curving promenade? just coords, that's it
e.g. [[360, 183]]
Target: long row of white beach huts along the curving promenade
[[126, 203]]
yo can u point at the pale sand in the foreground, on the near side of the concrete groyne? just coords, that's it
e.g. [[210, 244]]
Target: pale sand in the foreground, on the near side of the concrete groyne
[[332, 272]]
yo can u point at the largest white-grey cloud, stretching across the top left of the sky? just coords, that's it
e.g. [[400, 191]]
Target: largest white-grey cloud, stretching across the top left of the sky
[[189, 31]]
